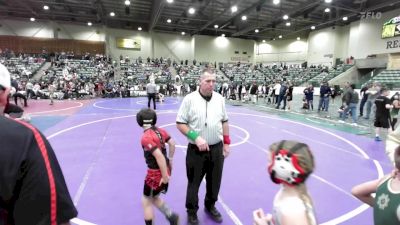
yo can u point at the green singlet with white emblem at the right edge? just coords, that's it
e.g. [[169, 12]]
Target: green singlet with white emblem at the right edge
[[387, 205]]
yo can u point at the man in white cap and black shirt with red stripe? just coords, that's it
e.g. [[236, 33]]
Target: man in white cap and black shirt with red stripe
[[32, 186]]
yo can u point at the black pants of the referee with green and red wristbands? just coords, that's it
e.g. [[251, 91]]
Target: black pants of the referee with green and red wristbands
[[208, 163]]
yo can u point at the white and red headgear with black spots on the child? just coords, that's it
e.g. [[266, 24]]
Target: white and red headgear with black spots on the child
[[285, 166]]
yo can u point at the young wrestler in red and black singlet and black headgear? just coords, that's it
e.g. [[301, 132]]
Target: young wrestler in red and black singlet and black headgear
[[159, 166]]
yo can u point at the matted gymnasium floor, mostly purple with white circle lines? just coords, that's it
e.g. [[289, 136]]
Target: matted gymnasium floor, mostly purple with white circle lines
[[97, 144]]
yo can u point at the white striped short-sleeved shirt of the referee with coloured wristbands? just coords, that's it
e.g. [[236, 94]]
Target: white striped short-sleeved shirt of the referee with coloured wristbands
[[204, 117]]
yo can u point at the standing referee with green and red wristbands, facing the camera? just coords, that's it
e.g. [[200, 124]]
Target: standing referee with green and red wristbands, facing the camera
[[203, 120]]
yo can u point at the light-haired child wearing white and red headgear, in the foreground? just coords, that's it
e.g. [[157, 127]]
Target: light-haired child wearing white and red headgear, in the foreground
[[291, 163]]
